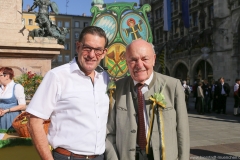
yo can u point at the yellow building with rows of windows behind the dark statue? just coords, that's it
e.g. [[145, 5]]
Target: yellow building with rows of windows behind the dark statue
[[74, 23]]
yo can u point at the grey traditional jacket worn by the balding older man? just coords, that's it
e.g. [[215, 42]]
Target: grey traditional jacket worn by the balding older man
[[122, 123]]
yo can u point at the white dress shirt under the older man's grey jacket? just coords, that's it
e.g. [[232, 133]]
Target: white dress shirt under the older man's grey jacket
[[144, 89]]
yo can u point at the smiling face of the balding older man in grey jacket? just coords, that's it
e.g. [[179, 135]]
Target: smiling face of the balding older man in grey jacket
[[140, 58]]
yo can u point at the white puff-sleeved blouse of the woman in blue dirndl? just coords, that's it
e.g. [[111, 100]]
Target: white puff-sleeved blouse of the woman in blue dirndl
[[8, 92]]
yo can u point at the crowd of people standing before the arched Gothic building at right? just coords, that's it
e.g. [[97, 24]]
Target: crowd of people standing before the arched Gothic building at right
[[212, 97]]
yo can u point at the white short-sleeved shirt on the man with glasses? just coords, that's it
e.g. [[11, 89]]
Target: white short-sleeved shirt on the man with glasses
[[78, 109]]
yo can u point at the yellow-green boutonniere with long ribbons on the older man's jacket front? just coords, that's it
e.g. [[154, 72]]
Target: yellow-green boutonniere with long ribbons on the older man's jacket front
[[159, 103]]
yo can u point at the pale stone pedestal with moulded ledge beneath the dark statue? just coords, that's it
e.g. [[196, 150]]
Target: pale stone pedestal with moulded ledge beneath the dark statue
[[35, 56]]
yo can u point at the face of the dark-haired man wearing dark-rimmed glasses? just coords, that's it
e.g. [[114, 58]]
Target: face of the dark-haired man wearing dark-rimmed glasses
[[90, 52]]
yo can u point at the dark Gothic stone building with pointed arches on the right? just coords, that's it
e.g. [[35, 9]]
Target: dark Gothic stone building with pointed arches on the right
[[209, 49]]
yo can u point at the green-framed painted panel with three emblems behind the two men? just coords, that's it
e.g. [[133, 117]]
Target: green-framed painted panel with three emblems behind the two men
[[123, 23]]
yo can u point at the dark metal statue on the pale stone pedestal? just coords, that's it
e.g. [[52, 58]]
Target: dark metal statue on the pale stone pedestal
[[47, 28]]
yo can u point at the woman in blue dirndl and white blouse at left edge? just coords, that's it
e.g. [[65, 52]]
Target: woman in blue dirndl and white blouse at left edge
[[12, 98]]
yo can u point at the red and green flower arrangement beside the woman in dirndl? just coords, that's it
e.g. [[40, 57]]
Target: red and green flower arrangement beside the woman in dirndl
[[30, 81]]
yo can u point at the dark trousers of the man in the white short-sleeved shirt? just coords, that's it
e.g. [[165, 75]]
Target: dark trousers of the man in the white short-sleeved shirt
[[58, 156]]
